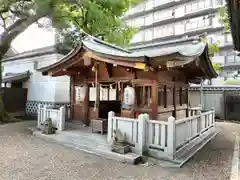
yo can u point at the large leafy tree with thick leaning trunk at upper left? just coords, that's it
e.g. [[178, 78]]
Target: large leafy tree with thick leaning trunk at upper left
[[96, 17]]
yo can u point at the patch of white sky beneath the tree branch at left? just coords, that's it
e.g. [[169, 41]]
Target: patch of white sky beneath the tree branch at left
[[32, 38]]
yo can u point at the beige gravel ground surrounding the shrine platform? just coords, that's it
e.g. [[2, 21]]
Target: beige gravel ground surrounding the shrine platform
[[24, 157]]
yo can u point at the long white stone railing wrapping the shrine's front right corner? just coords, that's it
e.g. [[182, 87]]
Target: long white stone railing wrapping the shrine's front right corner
[[162, 139]]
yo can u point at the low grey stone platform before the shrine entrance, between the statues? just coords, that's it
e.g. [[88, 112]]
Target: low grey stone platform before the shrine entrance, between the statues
[[90, 143]]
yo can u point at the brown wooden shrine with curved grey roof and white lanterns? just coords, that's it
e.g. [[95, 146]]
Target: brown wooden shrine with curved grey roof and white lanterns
[[107, 78]]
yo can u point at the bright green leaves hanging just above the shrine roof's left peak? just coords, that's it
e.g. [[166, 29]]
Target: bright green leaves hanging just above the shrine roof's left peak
[[98, 18]]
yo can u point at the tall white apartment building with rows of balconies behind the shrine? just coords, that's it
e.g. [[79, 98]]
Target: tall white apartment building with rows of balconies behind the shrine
[[159, 21]]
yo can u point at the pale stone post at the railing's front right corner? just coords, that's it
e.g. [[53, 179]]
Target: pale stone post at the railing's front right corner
[[171, 137]]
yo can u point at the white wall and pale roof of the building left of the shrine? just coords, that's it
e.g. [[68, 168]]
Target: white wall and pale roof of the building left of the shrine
[[41, 88]]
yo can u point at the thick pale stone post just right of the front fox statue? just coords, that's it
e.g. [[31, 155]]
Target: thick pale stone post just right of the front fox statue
[[142, 118]]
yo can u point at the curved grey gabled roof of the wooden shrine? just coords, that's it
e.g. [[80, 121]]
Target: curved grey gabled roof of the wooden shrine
[[183, 53]]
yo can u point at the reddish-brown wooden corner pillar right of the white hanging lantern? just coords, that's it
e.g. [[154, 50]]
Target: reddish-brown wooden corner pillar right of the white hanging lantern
[[155, 100]]
